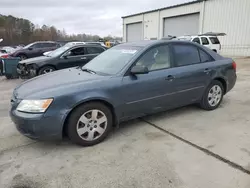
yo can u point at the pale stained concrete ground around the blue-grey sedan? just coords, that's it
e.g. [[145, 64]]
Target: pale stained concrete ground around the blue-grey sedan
[[183, 148]]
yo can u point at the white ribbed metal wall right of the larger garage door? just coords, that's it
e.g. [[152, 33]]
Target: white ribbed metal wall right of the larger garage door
[[233, 18]]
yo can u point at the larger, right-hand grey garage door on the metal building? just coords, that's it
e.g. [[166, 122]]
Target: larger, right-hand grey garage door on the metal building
[[182, 25]]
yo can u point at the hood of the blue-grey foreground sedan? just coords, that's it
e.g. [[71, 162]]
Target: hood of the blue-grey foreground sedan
[[56, 83]]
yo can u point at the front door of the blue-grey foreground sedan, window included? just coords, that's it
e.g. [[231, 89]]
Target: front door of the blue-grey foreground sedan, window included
[[147, 93]]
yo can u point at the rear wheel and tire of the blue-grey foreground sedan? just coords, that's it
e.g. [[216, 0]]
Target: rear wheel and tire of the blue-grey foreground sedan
[[211, 101]]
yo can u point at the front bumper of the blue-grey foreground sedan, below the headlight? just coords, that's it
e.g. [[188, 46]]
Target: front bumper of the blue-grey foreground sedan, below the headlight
[[38, 126]]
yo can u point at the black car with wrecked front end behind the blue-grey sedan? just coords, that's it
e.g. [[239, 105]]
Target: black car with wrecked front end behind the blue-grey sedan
[[61, 58]]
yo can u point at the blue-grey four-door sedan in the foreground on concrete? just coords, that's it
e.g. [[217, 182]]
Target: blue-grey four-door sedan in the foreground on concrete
[[125, 82]]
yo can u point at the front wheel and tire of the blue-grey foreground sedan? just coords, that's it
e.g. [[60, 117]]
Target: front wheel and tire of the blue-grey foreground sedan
[[87, 131]]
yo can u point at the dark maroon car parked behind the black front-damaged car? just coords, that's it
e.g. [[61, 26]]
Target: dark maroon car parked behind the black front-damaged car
[[35, 49]]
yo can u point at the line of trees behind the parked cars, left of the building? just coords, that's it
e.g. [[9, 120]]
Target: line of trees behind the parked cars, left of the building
[[15, 31]]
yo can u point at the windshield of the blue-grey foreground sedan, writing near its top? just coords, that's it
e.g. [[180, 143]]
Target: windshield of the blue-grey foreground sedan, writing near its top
[[113, 60]]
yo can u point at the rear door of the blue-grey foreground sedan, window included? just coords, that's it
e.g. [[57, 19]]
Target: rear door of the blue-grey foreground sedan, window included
[[191, 73]]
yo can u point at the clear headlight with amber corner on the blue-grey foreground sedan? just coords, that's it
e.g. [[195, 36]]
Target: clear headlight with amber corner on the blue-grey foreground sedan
[[34, 106]]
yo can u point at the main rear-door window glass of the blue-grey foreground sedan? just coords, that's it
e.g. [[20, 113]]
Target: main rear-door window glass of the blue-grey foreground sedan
[[186, 54]]
